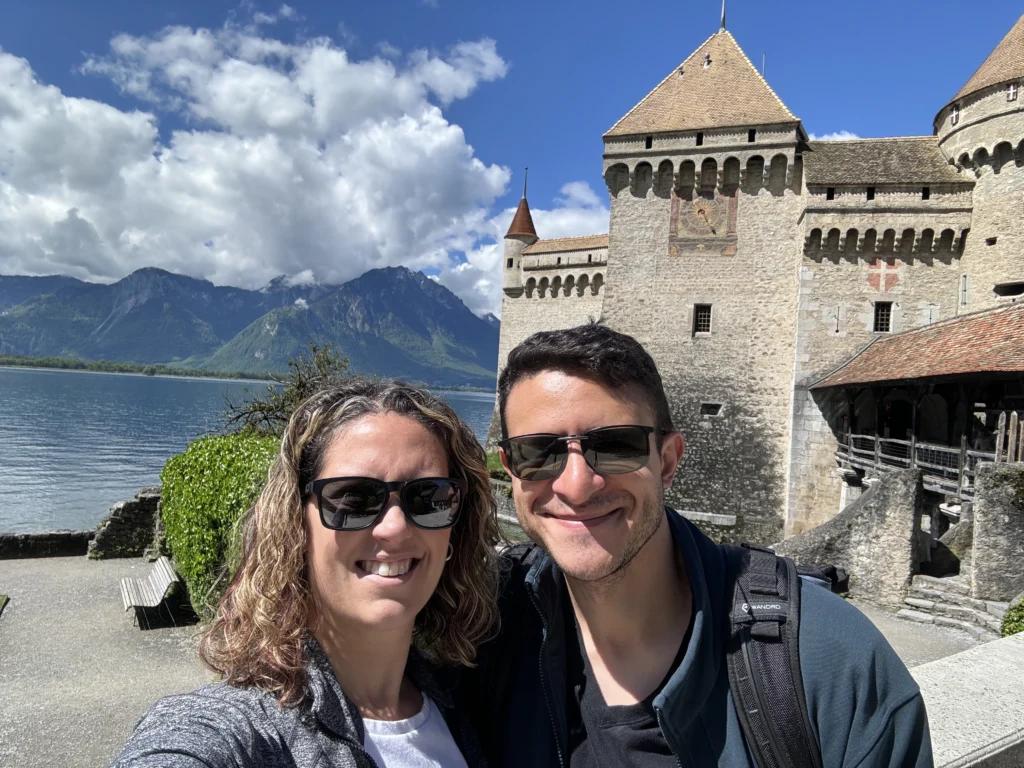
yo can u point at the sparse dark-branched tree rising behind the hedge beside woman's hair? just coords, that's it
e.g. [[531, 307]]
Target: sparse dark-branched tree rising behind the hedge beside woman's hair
[[268, 414]]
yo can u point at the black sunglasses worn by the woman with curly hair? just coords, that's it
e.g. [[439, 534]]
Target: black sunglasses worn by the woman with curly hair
[[358, 503]]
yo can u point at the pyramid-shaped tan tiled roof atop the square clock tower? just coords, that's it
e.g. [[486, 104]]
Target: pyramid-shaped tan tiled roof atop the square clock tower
[[729, 93]]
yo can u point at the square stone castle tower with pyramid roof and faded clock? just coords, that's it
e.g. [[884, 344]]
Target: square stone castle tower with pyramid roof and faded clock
[[705, 176]]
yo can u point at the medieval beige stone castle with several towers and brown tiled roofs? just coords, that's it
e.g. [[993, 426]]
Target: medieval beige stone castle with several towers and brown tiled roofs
[[752, 262]]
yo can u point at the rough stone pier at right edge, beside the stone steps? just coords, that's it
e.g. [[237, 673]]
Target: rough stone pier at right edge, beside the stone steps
[[999, 532]]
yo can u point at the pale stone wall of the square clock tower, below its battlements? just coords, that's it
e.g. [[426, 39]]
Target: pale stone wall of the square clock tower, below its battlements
[[731, 391]]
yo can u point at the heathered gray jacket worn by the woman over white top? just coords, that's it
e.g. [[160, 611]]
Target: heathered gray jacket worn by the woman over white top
[[224, 727]]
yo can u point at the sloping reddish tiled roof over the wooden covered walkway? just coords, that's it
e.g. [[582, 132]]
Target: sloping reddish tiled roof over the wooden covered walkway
[[983, 343]]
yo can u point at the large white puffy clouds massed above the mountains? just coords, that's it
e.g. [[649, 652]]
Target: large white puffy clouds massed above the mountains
[[251, 156]]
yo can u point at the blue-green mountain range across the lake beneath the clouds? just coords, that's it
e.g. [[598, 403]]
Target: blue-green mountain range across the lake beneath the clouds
[[391, 322]]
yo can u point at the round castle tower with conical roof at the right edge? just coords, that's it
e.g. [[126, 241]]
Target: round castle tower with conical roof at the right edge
[[982, 132]]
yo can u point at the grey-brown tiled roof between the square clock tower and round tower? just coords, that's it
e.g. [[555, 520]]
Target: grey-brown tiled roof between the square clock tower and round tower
[[879, 161]]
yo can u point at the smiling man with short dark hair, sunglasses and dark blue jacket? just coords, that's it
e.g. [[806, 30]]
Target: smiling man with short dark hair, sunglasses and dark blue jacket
[[613, 645]]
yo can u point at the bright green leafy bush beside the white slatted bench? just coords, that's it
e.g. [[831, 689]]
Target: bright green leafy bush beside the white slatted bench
[[205, 491]]
